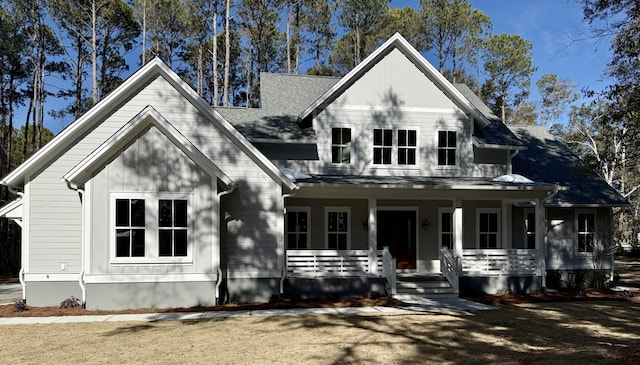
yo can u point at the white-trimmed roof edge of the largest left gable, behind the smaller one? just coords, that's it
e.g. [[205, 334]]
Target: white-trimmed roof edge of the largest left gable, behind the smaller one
[[155, 68]]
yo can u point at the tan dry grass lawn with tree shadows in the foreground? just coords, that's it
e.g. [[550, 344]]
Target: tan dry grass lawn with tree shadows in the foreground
[[574, 332]]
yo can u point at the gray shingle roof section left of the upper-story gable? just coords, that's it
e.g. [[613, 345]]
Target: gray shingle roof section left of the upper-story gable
[[283, 98]]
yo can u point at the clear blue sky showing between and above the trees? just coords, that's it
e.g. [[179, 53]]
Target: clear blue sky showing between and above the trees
[[555, 28]]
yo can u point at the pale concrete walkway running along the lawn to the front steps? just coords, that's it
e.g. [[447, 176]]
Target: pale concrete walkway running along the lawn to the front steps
[[417, 304]]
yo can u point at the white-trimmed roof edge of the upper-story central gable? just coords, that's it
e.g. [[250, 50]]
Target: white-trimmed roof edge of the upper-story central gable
[[395, 42]]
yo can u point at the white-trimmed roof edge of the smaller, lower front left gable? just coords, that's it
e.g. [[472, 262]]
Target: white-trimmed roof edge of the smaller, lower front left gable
[[147, 117]]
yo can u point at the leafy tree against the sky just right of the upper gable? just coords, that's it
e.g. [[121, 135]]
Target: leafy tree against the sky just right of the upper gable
[[509, 67]]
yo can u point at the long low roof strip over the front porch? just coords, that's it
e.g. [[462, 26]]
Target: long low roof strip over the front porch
[[422, 182]]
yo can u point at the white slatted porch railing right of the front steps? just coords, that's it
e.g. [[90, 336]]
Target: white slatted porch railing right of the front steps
[[499, 262]]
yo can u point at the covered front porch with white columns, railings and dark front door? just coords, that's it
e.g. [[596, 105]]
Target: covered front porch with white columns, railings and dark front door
[[473, 229]]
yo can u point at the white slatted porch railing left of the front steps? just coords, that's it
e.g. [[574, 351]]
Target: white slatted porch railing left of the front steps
[[322, 263]]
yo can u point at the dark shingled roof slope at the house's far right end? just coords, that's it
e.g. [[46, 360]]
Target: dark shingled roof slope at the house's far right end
[[549, 160]]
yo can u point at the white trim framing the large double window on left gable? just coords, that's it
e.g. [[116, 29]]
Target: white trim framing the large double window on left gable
[[151, 229]]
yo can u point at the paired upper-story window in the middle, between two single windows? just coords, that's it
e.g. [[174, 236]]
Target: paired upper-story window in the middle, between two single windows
[[402, 150]]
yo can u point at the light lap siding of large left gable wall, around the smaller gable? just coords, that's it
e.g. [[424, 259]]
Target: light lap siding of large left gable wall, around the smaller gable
[[256, 204]]
